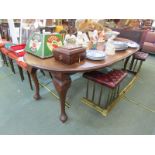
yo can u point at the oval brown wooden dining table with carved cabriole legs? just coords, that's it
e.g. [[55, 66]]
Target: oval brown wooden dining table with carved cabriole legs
[[61, 72]]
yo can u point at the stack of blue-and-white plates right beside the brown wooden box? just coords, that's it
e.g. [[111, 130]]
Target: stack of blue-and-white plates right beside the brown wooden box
[[95, 54]]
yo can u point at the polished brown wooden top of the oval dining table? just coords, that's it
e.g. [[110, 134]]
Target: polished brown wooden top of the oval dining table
[[50, 64]]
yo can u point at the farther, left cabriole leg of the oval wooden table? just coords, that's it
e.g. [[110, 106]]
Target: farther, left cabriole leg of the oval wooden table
[[33, 74]]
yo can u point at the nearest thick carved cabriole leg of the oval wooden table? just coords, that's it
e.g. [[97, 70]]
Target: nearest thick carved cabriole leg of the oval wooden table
[[62, 82]]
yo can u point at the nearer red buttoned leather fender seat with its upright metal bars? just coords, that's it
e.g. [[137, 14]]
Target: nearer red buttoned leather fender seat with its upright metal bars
[[112, 80]]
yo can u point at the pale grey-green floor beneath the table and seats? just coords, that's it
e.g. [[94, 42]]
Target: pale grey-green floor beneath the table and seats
[[21, 114]]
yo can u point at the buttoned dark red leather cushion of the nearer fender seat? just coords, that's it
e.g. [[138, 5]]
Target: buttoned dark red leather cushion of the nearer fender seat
[[111, 79]]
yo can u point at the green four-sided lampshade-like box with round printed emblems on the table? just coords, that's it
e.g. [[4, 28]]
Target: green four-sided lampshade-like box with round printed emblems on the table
[[42, 45]]
